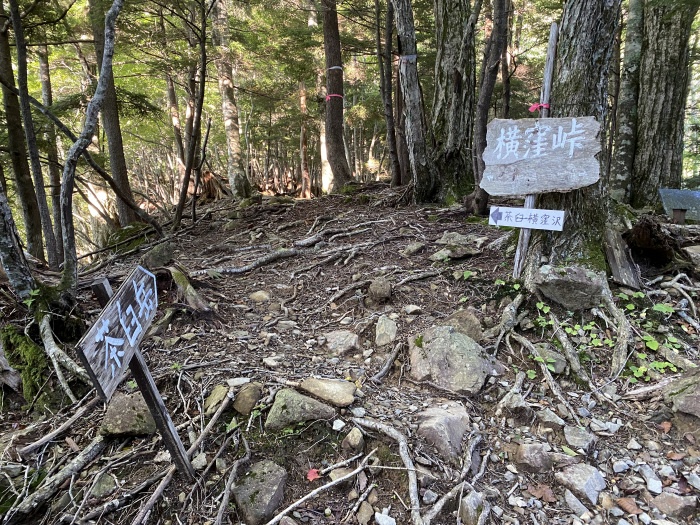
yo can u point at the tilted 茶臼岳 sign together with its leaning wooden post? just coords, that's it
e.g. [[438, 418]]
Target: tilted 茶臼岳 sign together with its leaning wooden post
[[112, 344]]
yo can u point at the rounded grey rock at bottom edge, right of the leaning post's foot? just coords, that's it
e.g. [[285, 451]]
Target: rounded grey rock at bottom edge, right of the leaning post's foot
[[259, 493]]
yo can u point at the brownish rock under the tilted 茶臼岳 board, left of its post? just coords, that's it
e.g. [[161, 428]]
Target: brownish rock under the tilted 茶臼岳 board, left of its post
[[128, 415]]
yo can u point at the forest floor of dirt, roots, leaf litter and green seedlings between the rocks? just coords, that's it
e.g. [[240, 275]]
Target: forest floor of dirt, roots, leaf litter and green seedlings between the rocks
[[275, 338]]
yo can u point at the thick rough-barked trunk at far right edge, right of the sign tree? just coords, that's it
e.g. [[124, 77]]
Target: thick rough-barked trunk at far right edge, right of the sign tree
[[663, 90]]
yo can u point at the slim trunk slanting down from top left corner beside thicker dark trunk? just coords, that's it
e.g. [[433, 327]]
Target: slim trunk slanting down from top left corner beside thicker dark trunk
[[30, 135]]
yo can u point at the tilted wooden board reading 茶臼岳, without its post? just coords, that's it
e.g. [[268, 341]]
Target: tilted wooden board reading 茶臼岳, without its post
[[106, 349]]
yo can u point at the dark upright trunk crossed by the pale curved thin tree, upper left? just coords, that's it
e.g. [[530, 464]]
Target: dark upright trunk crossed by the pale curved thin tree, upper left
[[110, 119]]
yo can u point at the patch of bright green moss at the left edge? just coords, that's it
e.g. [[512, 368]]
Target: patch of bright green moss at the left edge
[[29, 360]]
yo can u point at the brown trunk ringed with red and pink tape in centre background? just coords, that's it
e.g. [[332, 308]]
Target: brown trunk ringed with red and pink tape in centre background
[[335, 144]]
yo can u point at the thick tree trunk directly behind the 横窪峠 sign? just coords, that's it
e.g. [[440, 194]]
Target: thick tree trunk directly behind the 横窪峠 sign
[[585, 45]]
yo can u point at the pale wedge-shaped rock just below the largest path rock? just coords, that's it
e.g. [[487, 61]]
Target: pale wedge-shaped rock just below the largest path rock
[[444, 427]]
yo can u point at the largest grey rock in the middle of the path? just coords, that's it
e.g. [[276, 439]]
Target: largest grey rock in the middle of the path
[[452, 360]]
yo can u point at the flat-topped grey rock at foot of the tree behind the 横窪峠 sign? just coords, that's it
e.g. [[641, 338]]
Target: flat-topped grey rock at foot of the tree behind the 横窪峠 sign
[[574, 287]]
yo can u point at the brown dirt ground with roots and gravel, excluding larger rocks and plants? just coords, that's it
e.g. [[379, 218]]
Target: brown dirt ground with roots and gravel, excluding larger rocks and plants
[[318, 287]]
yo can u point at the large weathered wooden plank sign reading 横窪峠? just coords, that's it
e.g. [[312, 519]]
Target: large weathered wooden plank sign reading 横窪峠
[[530, 156]]
